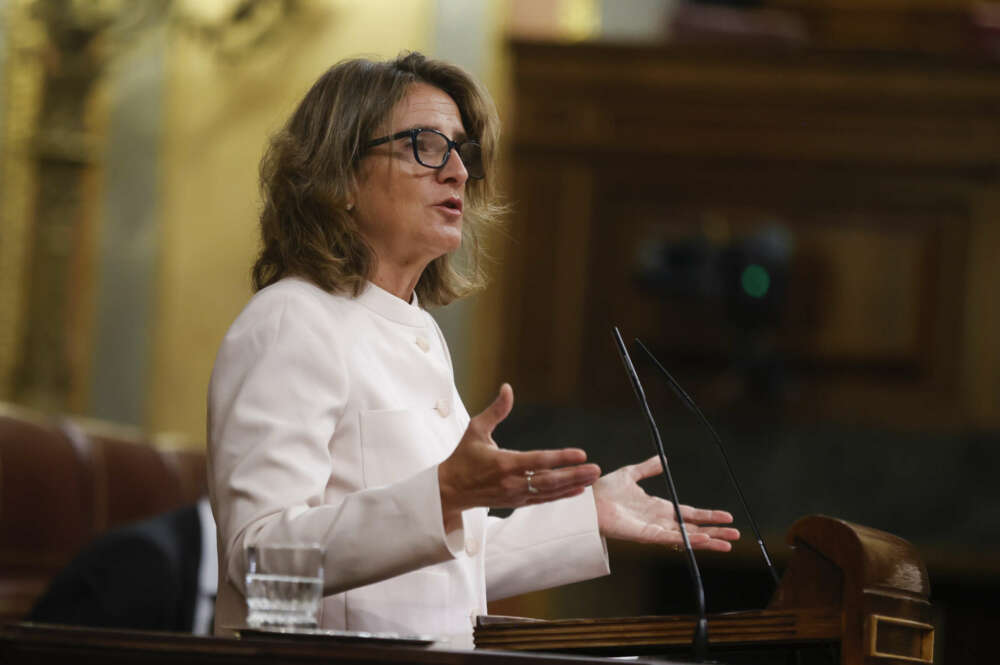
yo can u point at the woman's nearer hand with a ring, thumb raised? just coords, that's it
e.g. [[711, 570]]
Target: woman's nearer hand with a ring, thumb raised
[[481, 474]]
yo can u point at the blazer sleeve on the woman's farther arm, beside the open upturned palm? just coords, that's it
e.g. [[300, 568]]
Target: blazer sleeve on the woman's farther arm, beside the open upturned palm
[[543, 546]]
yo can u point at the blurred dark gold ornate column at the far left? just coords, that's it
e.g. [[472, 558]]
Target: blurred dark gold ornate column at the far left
[[54, 276]]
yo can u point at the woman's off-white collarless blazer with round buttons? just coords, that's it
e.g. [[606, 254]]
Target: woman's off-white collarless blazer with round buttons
[[327, 417]]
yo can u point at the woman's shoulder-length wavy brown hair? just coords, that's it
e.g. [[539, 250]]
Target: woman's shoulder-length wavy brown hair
[[308, 173]]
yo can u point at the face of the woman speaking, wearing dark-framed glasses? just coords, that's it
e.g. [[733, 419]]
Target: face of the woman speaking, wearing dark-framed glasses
[[409, 213]]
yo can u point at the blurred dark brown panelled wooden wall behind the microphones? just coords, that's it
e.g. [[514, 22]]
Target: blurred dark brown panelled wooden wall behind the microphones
[[879, 173]]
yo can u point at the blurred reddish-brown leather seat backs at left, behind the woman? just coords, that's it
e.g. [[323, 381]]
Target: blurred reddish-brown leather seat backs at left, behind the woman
[[63, 483]]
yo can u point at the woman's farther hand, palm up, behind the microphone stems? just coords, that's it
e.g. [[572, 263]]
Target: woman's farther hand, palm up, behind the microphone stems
[[626, 512]]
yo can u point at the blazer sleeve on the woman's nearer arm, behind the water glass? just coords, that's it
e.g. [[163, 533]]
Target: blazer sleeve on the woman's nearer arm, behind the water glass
[[276, 397]]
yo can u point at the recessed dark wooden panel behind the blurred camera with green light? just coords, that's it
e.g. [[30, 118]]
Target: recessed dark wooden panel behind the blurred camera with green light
[[871, 273]]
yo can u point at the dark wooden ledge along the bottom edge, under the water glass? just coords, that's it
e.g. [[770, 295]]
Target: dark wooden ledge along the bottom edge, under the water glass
[[24, 643]]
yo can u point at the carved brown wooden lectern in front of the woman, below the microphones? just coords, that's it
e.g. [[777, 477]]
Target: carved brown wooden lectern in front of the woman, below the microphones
[[848, 589]]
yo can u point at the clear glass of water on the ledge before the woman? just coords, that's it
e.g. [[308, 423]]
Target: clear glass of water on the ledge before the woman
[[284, 585]]
